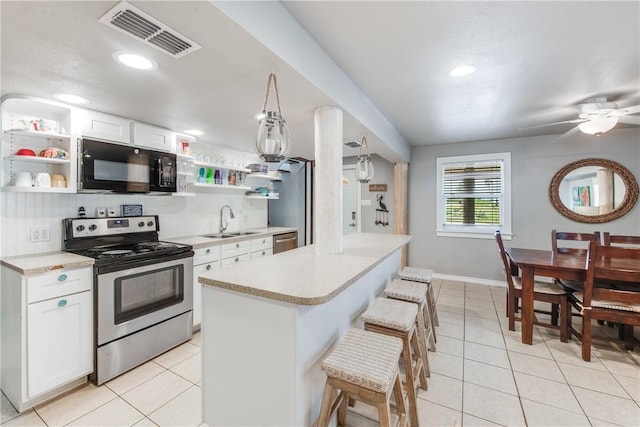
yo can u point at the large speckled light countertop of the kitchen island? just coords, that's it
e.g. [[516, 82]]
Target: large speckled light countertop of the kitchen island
[[301, 276]]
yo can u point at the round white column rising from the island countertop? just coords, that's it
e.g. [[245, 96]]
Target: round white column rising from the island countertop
[[328, 179]]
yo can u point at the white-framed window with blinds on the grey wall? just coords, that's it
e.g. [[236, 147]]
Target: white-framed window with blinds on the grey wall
[[474, 195]]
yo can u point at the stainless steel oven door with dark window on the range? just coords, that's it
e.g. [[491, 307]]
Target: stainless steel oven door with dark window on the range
[[136, 298]]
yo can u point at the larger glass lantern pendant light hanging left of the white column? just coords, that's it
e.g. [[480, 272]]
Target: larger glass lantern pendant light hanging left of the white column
[[273, 141]]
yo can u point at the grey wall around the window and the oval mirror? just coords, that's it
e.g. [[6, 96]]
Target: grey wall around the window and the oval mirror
[[534, 162]]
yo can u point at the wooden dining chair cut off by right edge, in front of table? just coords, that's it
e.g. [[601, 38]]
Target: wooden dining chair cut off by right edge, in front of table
[[605, 302]]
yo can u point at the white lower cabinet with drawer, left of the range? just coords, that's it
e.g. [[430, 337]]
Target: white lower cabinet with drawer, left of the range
[[47, 333]]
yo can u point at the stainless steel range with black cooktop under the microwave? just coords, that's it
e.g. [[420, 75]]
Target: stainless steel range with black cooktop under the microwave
[[143, 293]]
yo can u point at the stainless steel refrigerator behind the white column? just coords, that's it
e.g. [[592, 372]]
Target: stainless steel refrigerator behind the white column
[[294, 206]]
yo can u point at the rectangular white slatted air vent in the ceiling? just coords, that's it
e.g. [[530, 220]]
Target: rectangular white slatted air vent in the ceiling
[[137, 24]]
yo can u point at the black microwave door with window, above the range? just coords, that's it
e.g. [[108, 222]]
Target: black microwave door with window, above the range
[[109, 167]]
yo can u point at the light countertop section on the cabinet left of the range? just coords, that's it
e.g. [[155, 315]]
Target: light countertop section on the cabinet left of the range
[[42, 263]]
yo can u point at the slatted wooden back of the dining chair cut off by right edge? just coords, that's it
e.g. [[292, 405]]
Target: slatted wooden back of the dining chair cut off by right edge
[[612, 263]]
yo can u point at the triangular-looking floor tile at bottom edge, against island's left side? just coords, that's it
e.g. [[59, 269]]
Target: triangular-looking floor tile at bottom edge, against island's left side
[[184, 410]]
